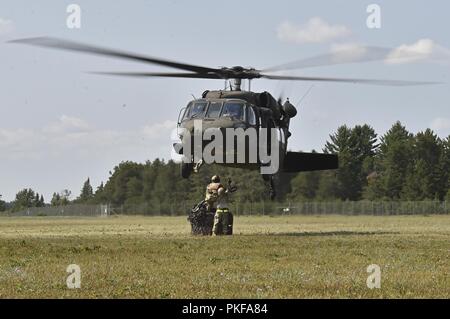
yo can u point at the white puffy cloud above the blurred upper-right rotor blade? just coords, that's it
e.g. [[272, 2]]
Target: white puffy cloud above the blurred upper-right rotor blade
[[315, 30]]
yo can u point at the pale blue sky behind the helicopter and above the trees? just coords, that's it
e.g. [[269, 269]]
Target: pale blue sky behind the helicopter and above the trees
[[59, 125]]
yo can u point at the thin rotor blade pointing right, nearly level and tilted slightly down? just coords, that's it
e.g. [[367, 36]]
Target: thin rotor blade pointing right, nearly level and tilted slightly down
[[346, 80]]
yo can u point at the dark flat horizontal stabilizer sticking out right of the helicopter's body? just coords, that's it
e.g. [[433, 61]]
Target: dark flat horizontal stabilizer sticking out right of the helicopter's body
[[304, 162]]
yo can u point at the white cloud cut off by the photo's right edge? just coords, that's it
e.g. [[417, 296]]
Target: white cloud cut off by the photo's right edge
[[422, 50]]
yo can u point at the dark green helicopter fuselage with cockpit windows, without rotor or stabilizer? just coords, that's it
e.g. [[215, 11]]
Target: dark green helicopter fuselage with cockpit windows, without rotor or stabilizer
[[228, 117]]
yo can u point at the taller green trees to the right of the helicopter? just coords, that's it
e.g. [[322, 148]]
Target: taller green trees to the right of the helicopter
[[396, 166]]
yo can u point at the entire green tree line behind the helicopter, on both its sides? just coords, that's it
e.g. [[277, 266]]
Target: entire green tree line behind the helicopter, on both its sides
[[398, 165]]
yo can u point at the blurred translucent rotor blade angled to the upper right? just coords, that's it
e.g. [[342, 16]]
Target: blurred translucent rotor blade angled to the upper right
[[352, 54]]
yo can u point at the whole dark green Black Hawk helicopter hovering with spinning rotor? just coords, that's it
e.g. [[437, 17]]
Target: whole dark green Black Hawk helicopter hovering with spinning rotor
[[237, 108]]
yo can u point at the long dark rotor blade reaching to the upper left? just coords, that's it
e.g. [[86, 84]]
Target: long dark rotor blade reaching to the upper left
[[56, 43]]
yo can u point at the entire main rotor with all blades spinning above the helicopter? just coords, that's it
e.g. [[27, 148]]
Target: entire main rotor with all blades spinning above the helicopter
[[360, 54]]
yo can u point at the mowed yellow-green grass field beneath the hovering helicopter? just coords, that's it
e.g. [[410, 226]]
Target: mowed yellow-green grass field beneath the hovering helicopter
[[268, 257]]
